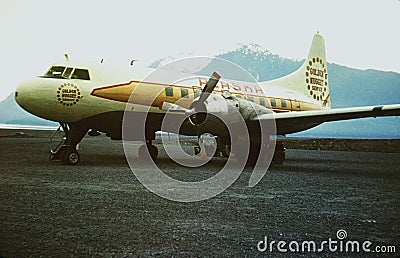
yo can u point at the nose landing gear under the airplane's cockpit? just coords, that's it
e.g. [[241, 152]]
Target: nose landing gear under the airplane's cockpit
[[66, 151]]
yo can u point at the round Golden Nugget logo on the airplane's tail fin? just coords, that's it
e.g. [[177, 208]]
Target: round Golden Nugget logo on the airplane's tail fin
[[317, 79]]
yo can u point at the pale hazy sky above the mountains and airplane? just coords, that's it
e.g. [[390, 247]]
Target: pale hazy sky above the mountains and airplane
[[358, 33]]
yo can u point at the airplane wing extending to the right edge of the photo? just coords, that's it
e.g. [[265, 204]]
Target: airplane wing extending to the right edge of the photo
[[291, 122]]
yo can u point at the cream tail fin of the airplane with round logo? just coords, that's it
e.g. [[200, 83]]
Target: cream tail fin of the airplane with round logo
[[311, 79]]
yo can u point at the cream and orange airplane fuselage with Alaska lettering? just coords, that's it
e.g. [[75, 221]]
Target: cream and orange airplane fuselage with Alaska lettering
[[71, 99]]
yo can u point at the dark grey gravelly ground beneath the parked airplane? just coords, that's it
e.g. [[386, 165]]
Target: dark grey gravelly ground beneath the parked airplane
[[99, 208]]
